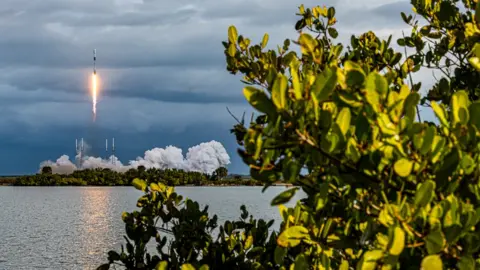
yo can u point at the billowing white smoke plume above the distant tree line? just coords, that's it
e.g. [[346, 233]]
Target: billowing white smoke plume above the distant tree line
[[205, 157]]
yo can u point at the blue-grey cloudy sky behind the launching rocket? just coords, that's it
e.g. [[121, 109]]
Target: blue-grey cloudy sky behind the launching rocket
[[161, 65]]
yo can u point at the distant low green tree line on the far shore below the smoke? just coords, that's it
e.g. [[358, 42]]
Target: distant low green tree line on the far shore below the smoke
[[107, 177]]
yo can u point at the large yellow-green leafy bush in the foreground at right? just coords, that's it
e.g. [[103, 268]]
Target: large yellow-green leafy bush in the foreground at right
[[384, 189]]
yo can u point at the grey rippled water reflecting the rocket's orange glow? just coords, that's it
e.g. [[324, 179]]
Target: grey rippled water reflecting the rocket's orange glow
[[74, 227]]
